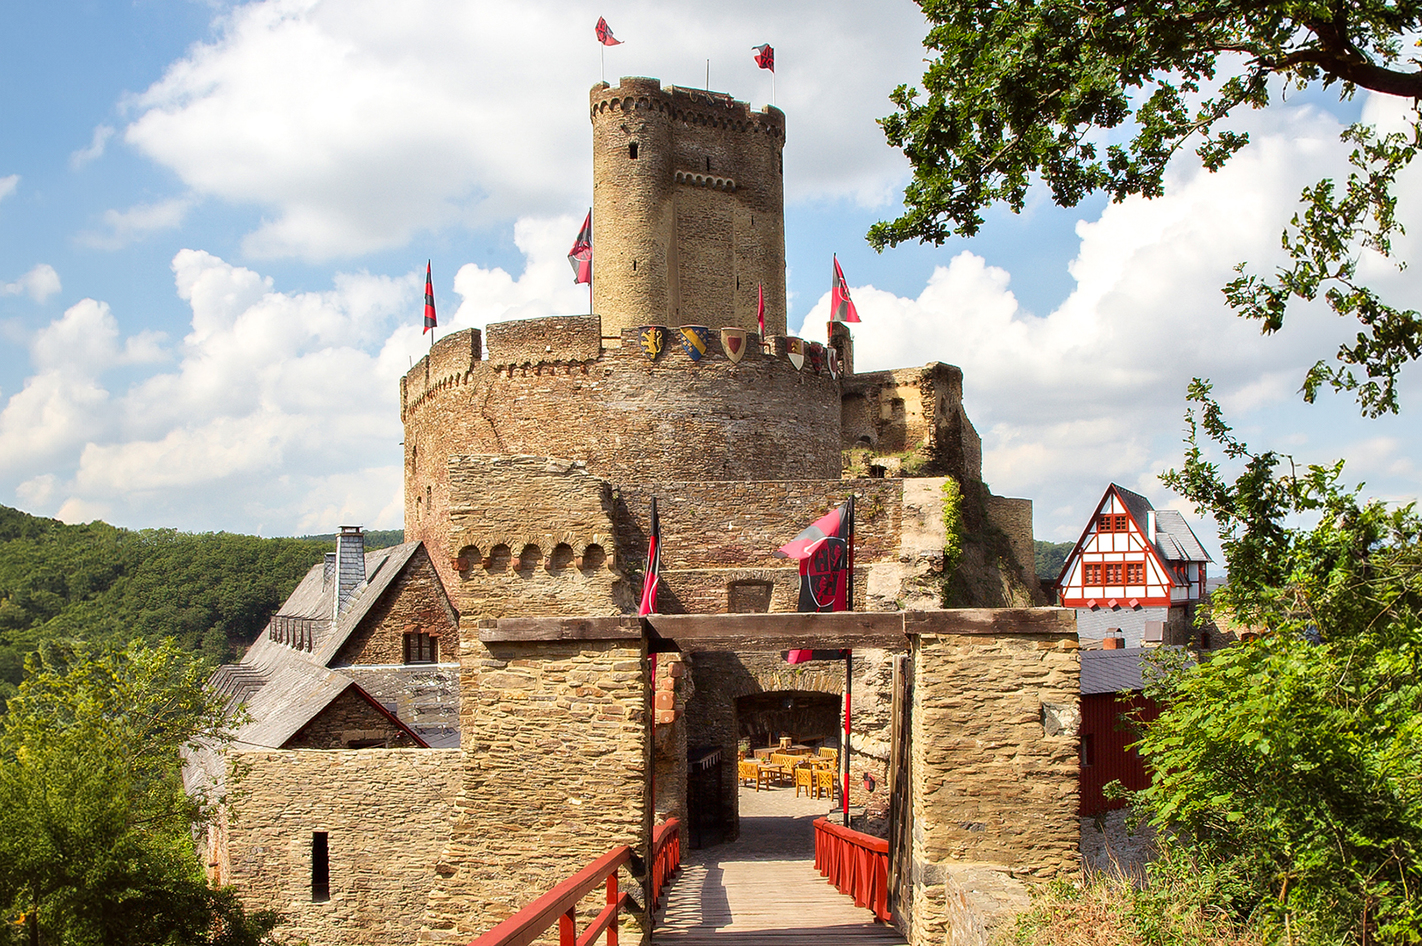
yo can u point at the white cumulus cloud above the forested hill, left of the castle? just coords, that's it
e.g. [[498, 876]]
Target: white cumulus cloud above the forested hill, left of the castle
[[279, 410]]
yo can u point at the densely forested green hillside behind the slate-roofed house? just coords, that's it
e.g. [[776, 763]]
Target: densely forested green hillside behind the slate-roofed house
[[213, 592]]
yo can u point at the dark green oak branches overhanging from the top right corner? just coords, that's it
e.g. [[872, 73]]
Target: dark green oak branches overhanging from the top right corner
[[1020, 92]]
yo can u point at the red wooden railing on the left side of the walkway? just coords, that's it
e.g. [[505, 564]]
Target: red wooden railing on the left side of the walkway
[[561, 904]]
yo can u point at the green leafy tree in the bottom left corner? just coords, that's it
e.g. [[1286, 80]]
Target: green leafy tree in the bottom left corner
[[96, 829]]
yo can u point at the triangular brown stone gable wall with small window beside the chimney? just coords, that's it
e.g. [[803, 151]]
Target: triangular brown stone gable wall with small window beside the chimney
[[415, 602]]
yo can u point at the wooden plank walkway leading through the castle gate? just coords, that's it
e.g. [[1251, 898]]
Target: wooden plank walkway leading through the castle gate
[[764, 887]]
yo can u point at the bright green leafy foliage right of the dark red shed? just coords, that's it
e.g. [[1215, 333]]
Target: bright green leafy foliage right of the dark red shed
[[1292, 763]]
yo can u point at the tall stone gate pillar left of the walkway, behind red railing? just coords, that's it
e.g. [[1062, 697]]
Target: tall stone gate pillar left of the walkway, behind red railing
[[557, 740]]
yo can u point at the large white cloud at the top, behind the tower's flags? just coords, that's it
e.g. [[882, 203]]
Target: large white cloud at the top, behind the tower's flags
[[353, 130]]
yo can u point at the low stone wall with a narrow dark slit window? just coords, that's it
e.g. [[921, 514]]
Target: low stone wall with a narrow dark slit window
[[386, 814]]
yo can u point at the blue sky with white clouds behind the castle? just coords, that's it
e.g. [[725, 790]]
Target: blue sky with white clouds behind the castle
[[214, 223]]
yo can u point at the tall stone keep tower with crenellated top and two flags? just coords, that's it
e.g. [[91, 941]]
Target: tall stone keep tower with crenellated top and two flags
[[688, 208]]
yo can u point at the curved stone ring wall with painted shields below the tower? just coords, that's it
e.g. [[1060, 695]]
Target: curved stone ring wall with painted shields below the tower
[[626, 418]]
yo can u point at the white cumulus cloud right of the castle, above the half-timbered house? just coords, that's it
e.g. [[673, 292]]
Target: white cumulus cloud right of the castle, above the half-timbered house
[[1094, 390]]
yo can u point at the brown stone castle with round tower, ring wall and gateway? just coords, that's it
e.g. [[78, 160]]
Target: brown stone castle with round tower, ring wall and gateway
[[533, 455]]
